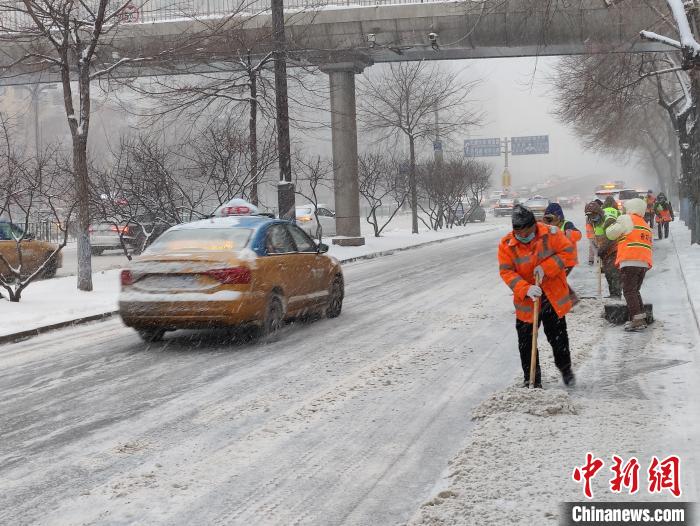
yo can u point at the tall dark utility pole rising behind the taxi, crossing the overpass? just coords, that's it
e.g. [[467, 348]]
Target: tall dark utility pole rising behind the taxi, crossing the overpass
[[285, 188]]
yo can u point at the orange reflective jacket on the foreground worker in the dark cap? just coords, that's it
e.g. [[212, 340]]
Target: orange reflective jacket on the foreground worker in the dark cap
[[550, 249]]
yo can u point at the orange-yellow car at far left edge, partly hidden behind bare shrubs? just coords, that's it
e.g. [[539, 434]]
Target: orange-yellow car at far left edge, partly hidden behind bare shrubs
[[34, 252]]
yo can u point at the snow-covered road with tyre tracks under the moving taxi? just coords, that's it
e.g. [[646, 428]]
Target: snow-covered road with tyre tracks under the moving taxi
[[345, 421]]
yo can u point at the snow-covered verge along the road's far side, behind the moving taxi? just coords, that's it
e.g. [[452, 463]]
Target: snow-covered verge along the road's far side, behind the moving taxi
[[57, 301]]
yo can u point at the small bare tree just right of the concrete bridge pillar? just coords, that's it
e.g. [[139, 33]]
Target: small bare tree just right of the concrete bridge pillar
[[381, 184]]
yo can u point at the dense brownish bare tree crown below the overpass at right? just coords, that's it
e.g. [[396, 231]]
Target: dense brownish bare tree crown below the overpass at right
[[614, 110]]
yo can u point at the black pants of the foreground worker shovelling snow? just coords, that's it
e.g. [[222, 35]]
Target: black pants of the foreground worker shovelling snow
[[557, 336]]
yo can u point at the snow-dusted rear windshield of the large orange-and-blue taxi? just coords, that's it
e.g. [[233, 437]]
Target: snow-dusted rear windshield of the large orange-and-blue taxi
[[201, 240]]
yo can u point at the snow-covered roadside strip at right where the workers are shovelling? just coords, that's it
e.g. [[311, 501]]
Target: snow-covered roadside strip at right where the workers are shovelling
[[636, 397]]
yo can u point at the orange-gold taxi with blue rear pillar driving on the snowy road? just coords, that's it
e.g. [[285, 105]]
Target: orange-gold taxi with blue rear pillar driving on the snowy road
[[229, 271]]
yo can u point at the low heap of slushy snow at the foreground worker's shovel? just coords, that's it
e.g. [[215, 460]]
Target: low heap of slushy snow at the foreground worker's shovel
[[537, 402]]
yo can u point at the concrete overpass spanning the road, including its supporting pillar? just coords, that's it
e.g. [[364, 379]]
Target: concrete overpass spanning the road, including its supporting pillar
[[344, 37]]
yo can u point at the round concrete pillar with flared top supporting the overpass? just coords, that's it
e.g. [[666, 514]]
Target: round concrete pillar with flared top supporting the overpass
[[344, 137]]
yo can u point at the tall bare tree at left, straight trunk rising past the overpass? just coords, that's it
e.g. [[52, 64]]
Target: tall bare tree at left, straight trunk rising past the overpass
[[73, 39]]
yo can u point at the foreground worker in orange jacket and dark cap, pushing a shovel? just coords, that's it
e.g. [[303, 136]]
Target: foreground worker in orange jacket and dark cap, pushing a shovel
[[534, 251]]
